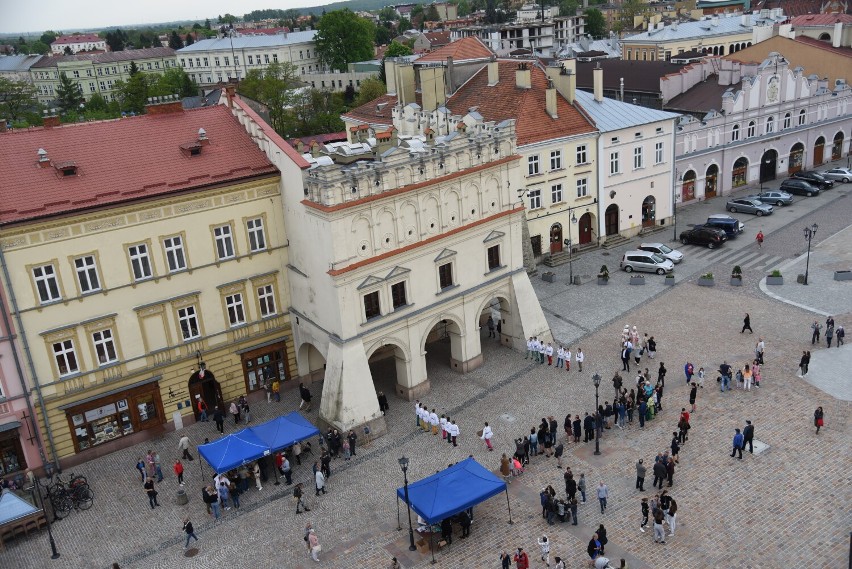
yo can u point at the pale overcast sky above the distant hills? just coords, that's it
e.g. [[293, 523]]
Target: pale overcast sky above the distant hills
[[18, 16]]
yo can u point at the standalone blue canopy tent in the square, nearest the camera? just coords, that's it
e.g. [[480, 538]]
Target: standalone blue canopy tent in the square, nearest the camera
[[451, 491]]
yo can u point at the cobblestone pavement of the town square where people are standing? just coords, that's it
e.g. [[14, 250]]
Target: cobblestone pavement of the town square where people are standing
[[788, 506]]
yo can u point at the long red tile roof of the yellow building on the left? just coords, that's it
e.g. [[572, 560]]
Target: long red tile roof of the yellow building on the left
[[122, 160]]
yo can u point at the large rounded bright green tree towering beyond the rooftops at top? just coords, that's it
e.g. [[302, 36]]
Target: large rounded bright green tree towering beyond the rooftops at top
[[342, 38]]
